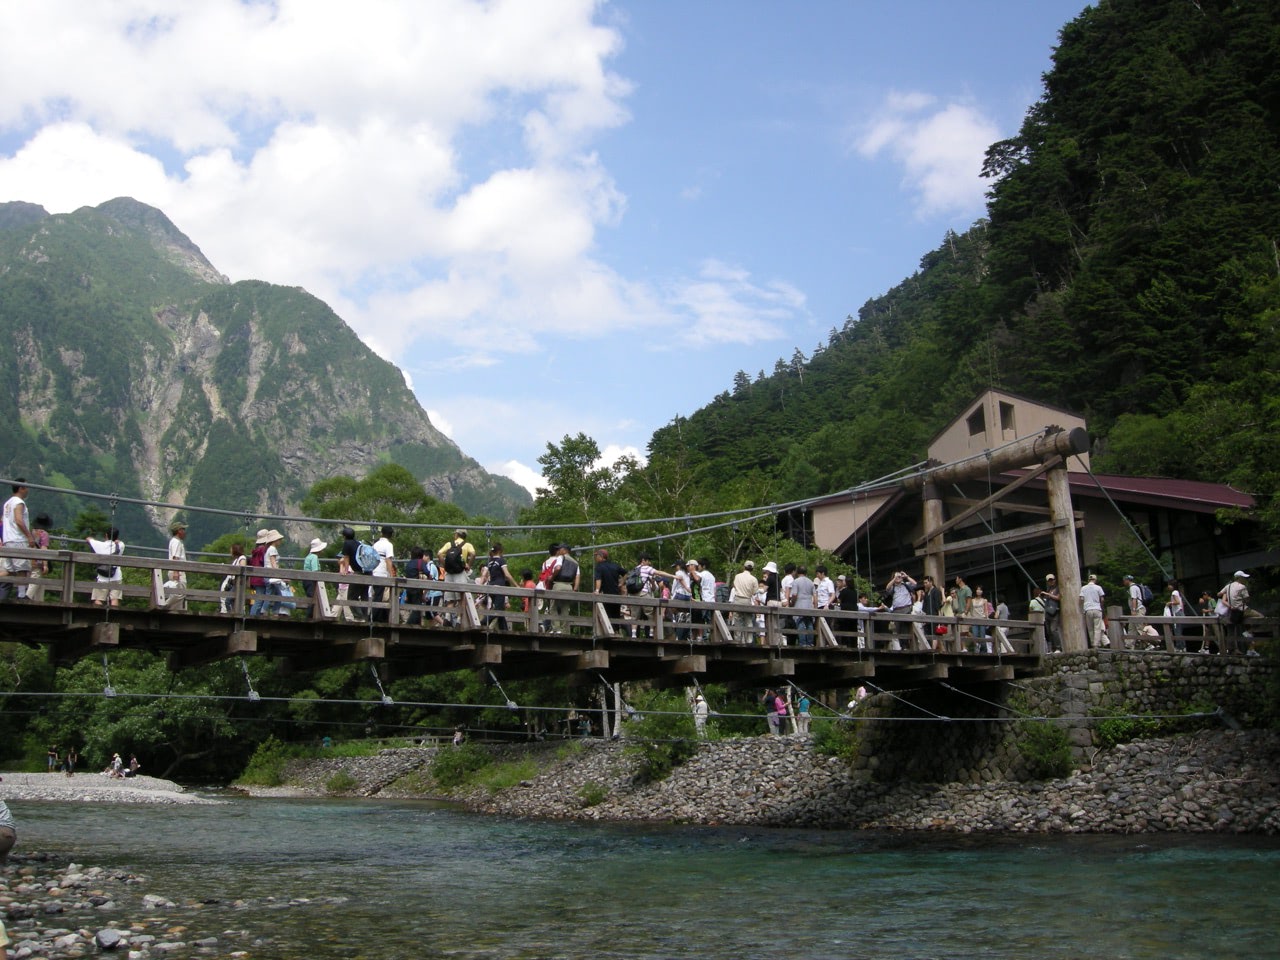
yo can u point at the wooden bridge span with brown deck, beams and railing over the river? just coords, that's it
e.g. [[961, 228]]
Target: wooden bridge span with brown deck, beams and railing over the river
[[650, 639]]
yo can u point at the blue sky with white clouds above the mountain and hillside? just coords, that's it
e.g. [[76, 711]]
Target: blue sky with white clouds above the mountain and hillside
[[554, 216]]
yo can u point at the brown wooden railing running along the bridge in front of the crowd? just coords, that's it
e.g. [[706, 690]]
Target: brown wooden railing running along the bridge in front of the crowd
[[474, 607]]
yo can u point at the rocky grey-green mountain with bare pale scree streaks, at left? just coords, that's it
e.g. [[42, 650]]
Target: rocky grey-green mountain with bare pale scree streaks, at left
[[136, 368]]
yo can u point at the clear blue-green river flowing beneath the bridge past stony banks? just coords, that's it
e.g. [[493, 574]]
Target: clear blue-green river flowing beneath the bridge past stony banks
[[394, 881]]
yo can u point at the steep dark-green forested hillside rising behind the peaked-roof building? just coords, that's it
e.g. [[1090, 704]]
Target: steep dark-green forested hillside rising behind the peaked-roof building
[[1128, 269]]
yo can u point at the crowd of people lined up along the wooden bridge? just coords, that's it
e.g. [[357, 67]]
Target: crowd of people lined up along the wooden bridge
[[629, 591]]
